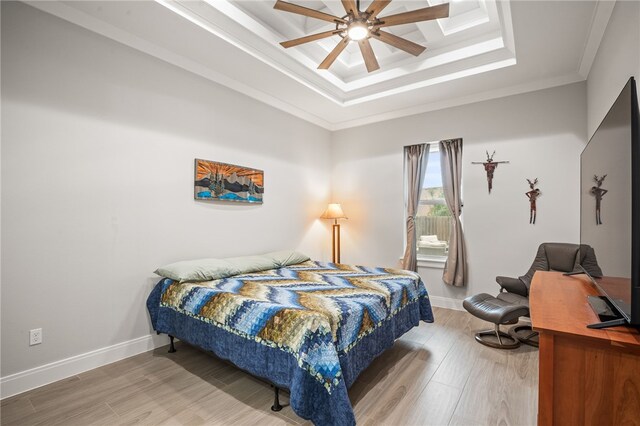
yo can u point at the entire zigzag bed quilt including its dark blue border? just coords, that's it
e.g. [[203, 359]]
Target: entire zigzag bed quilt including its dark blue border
[[310, 327]]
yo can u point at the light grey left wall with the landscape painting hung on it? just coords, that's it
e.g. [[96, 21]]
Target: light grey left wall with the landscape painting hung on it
[[98, 145]]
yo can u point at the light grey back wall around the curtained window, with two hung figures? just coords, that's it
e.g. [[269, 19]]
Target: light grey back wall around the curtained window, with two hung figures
[[541, 133]]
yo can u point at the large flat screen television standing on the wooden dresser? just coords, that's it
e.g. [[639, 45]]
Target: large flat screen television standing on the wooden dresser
[[610, 209]]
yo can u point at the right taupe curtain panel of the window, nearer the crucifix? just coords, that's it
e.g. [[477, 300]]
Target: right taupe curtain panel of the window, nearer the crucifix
[[455, 269]]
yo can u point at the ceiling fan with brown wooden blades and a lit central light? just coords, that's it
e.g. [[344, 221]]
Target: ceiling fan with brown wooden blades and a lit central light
[[359, 26]]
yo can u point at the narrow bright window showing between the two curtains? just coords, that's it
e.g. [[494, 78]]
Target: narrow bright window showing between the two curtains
[[433, 221]]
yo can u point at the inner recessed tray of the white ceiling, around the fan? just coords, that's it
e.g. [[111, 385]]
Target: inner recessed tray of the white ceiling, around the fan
[[478, 29]]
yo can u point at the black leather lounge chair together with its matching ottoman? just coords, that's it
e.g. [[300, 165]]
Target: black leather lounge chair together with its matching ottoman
[[513, 300]]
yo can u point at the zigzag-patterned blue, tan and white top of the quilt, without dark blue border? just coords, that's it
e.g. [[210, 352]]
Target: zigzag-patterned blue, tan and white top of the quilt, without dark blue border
[[316, 312]]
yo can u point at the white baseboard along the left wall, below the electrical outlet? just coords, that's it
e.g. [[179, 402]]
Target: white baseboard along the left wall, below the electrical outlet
[[58, 370]]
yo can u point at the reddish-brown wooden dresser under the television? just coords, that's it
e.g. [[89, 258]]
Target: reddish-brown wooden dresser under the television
[[587, 377]]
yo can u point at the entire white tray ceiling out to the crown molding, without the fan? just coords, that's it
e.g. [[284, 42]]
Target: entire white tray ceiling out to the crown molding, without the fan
[[485, 49]]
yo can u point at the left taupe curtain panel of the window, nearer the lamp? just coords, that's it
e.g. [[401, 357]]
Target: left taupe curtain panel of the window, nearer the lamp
[[415, 167]]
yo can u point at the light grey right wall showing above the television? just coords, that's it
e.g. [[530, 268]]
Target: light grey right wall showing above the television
[[618, 58]]
